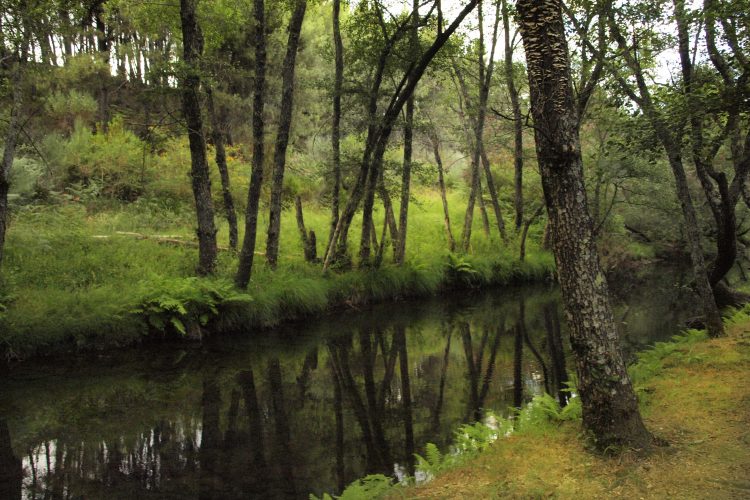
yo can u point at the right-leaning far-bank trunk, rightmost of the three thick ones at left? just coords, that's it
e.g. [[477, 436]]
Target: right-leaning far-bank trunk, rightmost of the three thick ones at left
[[282, 137]]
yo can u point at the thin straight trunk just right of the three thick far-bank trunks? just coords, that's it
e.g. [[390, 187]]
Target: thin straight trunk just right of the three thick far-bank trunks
[[336, 125]]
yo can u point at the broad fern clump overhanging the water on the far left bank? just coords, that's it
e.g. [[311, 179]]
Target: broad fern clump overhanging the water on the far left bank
[[187, 303]]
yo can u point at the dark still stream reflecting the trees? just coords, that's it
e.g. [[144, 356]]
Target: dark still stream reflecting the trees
[[305, 409]]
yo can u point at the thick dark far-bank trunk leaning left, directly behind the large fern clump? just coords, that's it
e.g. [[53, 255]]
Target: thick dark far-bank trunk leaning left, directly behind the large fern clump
[[192, 41]]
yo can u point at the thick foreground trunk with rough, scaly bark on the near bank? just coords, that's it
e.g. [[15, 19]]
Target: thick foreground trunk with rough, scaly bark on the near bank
[[610, 407]]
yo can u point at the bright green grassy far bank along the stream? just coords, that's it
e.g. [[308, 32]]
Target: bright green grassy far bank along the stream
[[72, 280]]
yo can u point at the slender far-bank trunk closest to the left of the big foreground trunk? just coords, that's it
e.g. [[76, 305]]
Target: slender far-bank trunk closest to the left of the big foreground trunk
[[517, 118]]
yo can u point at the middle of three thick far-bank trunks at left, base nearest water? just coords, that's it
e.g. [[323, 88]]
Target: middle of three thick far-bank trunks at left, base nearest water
[[256, 178]]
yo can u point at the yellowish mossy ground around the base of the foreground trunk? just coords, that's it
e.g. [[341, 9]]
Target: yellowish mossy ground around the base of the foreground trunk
[[699, 402]]
